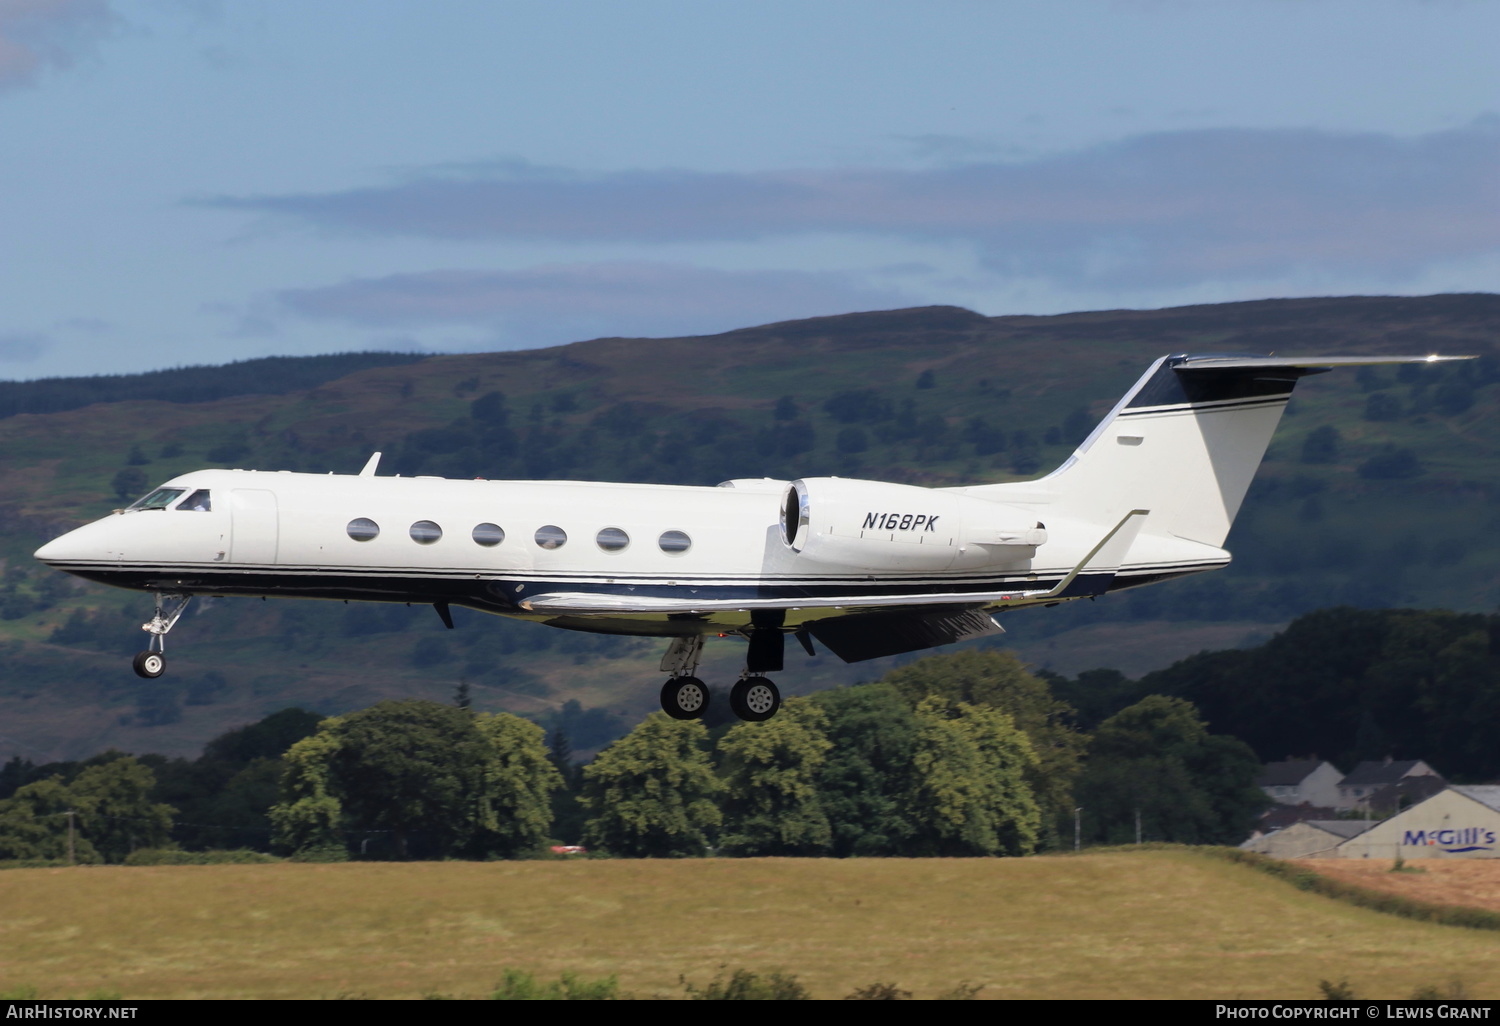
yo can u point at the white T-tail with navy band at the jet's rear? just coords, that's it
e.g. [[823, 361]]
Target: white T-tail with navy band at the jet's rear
[[1184, 443]]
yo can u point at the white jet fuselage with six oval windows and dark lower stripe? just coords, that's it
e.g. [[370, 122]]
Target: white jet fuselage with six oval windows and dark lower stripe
[[712, 556]]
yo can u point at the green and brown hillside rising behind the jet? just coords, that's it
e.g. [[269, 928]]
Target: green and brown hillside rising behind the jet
[[931, 397]]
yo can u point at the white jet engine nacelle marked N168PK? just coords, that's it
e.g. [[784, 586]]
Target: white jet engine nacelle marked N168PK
[[880, 526]]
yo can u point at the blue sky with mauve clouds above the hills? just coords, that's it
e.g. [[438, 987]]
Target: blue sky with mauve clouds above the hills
[[199, 181]]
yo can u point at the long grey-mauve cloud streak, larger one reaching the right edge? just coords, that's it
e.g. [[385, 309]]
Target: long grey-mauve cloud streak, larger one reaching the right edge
[[1169, 209]]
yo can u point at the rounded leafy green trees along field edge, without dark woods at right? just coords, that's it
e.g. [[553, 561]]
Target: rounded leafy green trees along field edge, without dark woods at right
[[961, 755]]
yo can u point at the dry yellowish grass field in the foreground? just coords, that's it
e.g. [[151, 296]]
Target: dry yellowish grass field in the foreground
[[1112, 925]]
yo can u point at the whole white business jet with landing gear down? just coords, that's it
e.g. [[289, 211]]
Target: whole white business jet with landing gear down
[[865, 569]]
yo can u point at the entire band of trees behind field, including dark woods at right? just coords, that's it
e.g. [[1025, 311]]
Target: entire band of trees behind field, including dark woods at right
[[958, 754]]
